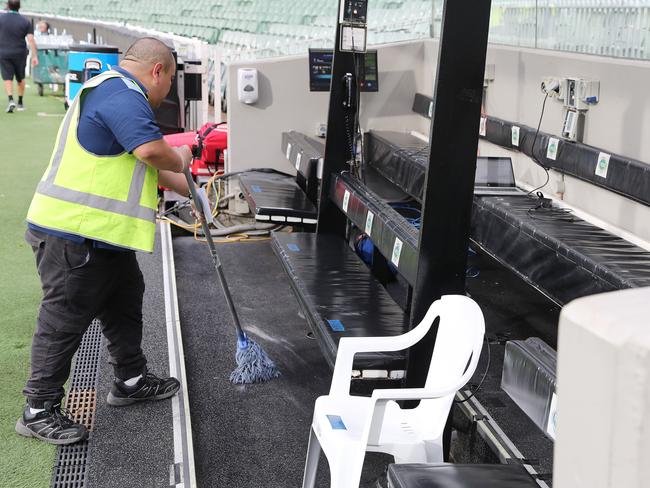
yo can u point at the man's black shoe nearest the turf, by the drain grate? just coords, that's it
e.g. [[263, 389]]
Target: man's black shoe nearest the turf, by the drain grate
[[53, 425]]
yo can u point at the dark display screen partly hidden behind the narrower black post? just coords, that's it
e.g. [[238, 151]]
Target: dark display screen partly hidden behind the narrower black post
[[320, 70]]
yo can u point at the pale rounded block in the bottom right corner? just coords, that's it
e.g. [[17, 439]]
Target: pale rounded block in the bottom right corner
[[603, 392]]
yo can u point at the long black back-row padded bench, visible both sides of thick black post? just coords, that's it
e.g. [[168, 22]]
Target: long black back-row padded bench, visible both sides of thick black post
[[558, 253]]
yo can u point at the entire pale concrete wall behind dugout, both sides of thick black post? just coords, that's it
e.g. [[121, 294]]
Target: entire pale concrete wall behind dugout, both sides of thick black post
[[616, 124]]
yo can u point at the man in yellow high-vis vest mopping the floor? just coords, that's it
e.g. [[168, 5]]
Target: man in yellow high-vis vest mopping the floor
[[95, 206]]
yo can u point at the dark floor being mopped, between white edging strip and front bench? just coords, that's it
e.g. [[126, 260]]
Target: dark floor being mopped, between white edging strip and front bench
[[255, 435]]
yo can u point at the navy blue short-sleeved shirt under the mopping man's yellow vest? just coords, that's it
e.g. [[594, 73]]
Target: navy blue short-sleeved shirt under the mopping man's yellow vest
[[114, 118]]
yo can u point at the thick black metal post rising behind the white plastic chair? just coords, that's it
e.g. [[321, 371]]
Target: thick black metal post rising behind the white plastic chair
[[448, 193]]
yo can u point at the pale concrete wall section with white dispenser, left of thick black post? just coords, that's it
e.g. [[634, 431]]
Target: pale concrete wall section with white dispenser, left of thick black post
[[287, 104]]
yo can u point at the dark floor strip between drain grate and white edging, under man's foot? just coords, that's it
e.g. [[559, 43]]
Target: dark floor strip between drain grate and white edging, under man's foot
[[132, 447]]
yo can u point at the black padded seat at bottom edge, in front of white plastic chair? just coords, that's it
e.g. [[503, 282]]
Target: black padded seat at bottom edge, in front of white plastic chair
[[459, 475]]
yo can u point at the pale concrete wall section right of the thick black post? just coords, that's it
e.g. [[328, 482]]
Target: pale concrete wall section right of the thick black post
[[616, 124]]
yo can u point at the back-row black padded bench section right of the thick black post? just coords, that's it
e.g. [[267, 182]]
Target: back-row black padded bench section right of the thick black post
[[557, 252]]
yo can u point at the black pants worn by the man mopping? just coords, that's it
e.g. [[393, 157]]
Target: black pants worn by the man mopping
[[80, 283]]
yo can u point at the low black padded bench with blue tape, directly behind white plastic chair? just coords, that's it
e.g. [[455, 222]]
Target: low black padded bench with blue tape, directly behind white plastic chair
[[341, 298]]
